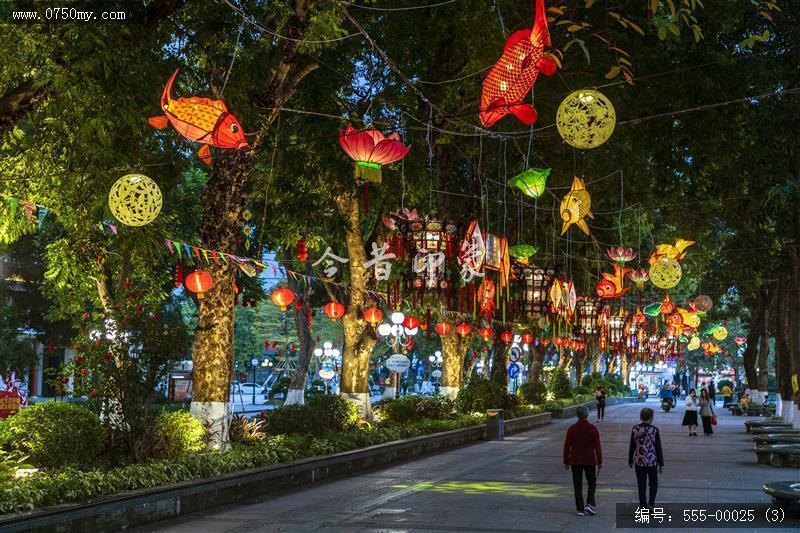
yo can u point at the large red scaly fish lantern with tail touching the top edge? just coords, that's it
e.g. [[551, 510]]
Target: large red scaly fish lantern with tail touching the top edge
[[510, 79]]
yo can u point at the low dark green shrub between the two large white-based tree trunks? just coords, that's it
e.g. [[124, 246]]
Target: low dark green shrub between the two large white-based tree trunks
[[319, 415]]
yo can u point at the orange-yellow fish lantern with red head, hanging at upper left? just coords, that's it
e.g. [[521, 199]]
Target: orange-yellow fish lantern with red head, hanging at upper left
[[201, 120]]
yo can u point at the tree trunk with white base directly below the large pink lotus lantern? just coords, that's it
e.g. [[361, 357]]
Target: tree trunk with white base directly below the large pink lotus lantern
[[358, 338]]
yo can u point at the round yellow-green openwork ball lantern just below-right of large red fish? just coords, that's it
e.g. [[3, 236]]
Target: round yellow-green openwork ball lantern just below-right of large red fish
[[586, 119]]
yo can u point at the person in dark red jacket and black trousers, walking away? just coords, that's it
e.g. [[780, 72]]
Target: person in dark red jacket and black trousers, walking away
[[584, 455]]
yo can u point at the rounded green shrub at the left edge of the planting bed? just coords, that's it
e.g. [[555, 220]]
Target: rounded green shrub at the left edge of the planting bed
[[57, 434]]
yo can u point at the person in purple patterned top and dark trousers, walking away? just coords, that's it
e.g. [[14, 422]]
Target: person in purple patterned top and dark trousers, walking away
[[645, 455]]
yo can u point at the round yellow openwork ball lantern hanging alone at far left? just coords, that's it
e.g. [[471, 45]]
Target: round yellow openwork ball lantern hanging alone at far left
[[135, 200]]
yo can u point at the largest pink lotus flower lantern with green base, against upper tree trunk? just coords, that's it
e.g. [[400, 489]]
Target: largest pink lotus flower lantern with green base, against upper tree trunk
[[371, 150]]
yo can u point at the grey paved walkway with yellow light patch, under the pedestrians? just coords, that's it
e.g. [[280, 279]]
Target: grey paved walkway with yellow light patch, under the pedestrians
[[514, 485]]
